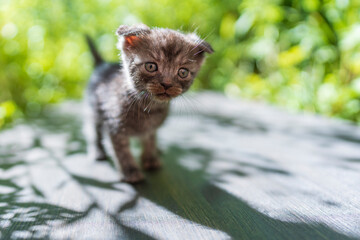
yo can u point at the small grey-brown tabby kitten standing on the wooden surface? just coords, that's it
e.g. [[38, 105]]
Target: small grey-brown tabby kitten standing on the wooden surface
[[132, 99]]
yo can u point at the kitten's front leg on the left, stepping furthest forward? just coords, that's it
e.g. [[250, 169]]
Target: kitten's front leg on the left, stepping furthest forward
[[132, 173]]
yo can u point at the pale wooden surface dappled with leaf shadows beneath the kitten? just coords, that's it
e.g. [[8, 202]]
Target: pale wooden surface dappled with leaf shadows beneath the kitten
[[229, 175]]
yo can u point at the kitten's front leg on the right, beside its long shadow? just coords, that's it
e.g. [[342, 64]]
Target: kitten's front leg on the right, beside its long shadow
[[149, 156]]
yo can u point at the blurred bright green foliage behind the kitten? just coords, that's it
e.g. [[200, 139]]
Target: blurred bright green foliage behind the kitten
[[300, 54]]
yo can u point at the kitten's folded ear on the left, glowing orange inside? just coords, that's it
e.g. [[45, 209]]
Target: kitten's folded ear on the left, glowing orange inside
[[131, 33]]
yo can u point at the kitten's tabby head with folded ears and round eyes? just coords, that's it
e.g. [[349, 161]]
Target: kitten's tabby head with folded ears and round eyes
[[162, 62]]
